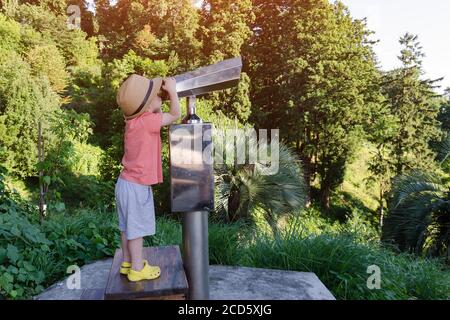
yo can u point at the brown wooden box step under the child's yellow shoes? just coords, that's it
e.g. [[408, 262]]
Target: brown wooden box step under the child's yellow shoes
[[172, 281]]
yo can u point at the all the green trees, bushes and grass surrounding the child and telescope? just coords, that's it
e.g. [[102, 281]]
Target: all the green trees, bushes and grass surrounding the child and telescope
[[309, 70]]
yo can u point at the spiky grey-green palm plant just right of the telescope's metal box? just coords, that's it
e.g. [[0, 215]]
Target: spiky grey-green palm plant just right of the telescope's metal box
[[244, 189]]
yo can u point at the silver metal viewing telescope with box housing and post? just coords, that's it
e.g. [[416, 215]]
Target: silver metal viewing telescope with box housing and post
[[191, 169]]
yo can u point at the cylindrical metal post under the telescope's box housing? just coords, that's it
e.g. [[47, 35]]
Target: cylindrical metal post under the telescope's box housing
[[195, 251]]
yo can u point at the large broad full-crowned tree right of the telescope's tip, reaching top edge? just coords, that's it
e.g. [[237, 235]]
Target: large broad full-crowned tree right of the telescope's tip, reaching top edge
[[314, 75]]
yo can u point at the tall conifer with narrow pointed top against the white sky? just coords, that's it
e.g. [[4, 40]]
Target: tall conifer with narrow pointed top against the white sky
[[405, 124]]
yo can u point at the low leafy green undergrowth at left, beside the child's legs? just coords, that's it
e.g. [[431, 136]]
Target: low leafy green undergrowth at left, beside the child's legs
[[33, 256]]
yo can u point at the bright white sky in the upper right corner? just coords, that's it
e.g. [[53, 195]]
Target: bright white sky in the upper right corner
[[390, 19]]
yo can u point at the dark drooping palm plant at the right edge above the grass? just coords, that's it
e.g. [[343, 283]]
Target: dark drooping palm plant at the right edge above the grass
[[419, 214]]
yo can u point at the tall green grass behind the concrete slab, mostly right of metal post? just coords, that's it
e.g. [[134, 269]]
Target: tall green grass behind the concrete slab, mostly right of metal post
[[338, 254]]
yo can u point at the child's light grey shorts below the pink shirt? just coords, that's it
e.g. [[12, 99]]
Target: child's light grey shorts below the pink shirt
[[135, 208]]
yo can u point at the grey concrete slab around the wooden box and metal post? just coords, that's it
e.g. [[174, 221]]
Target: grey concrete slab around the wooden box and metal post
[[226, 283]]
